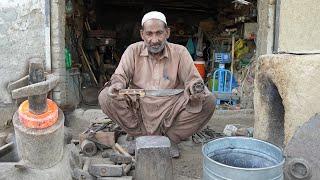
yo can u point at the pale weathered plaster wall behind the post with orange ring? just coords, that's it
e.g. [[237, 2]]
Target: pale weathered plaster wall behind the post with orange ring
[[21, 37]]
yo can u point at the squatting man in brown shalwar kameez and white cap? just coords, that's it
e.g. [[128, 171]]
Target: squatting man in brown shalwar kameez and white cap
[[155, 64]]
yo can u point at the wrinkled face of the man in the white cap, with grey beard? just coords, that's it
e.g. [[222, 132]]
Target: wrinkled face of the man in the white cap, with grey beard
[[155, 34]]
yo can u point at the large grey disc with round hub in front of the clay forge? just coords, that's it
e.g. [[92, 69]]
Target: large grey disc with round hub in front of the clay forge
[[302, 152]]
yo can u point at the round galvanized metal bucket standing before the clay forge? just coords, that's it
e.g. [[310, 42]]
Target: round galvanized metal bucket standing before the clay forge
[[242, 158]]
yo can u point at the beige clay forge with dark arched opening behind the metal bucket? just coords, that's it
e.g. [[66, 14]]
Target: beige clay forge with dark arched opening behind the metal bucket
[[286, 95]]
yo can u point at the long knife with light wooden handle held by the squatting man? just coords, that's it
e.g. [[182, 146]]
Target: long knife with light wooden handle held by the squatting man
[[143, 92]]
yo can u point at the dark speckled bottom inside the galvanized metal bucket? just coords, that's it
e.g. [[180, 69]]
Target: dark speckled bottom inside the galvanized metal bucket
[[243, 158]]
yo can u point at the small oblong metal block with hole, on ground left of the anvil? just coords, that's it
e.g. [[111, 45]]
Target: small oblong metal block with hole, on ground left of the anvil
[[105, 170]]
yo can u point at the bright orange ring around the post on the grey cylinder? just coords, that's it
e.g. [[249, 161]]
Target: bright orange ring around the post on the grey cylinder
[[38, 121]]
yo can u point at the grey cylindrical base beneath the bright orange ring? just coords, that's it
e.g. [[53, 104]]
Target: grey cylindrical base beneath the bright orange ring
[[40, 148]]
